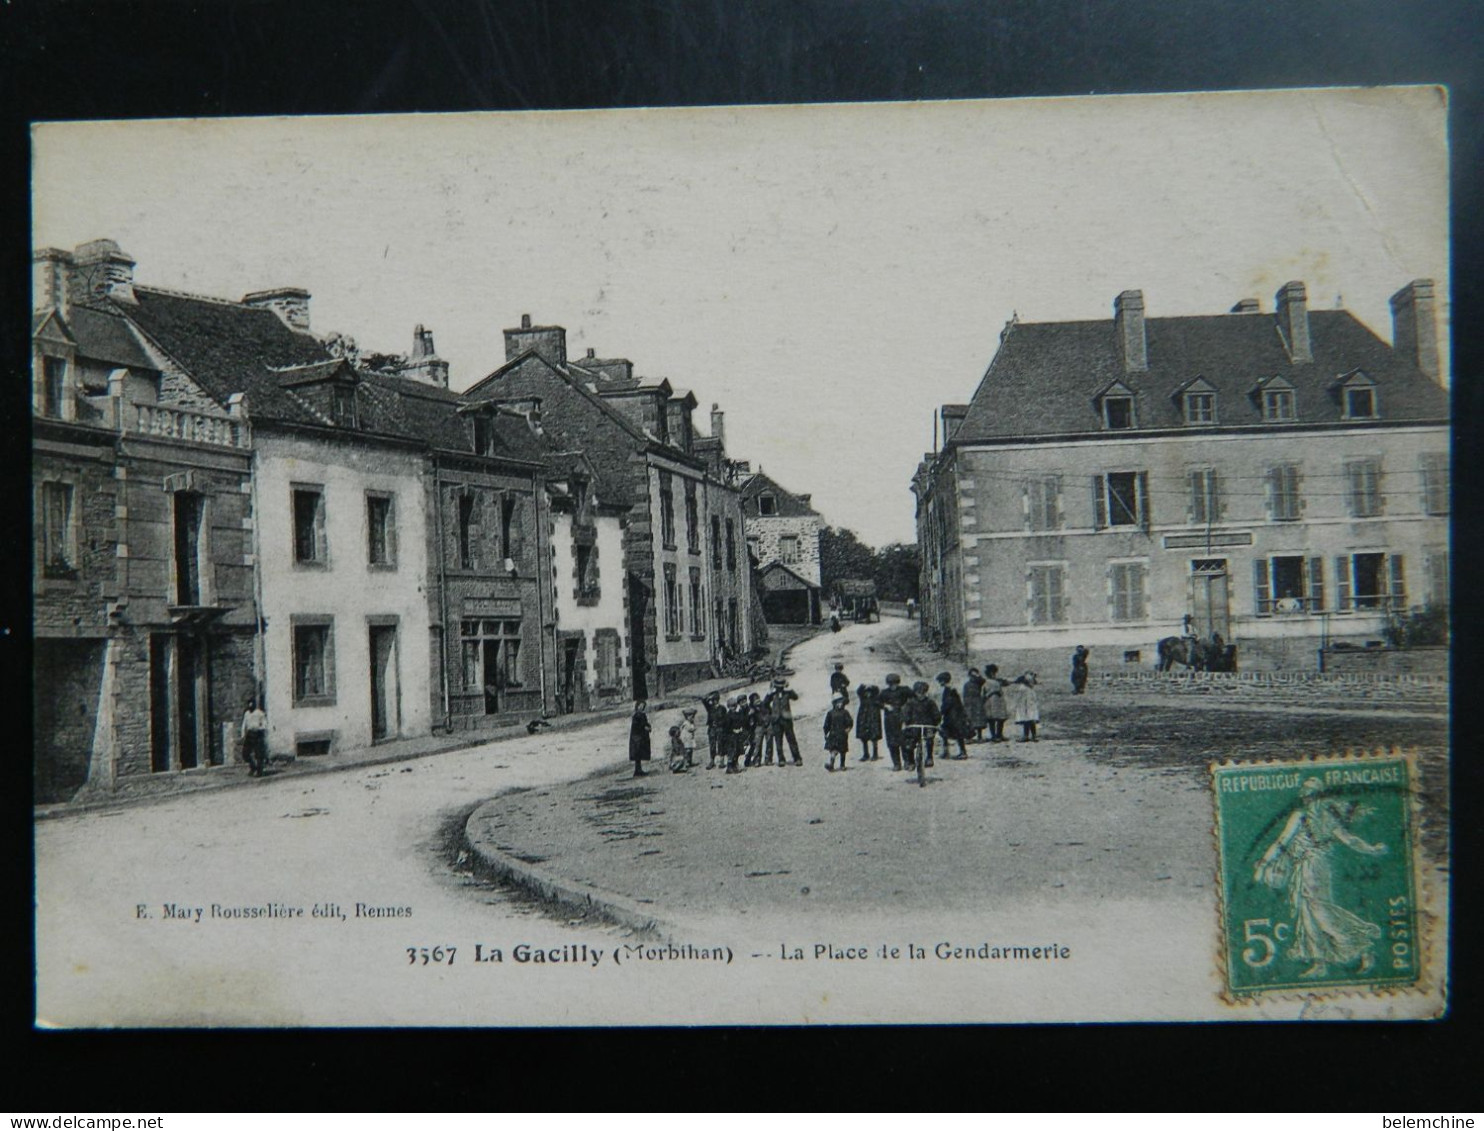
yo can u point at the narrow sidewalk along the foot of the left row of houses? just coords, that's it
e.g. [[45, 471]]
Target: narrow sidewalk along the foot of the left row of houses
[[164, 786]]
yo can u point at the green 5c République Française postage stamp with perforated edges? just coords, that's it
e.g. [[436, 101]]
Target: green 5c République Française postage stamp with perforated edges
[[1317, 879]]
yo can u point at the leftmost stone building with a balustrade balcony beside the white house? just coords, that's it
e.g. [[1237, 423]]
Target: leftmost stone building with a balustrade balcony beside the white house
[[143, 605]]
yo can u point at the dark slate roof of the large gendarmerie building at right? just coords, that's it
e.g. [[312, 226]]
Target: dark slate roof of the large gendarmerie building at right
[[1045, 378]]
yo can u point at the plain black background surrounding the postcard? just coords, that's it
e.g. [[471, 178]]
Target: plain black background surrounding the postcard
[[170, 59]]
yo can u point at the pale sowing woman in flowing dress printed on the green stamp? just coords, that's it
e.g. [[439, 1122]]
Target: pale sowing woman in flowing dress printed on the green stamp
[[1302, 862]]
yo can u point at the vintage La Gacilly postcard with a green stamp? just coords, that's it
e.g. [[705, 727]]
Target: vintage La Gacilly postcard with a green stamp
[[902, 563]]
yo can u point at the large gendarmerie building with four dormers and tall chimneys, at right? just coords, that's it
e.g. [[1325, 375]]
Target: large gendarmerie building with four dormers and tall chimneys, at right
[[1278, 479]]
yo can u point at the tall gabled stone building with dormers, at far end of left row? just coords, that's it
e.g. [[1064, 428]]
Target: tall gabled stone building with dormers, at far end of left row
[[688, 587]]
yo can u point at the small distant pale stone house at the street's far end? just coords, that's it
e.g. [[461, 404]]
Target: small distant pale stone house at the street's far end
[[783, 529]]
